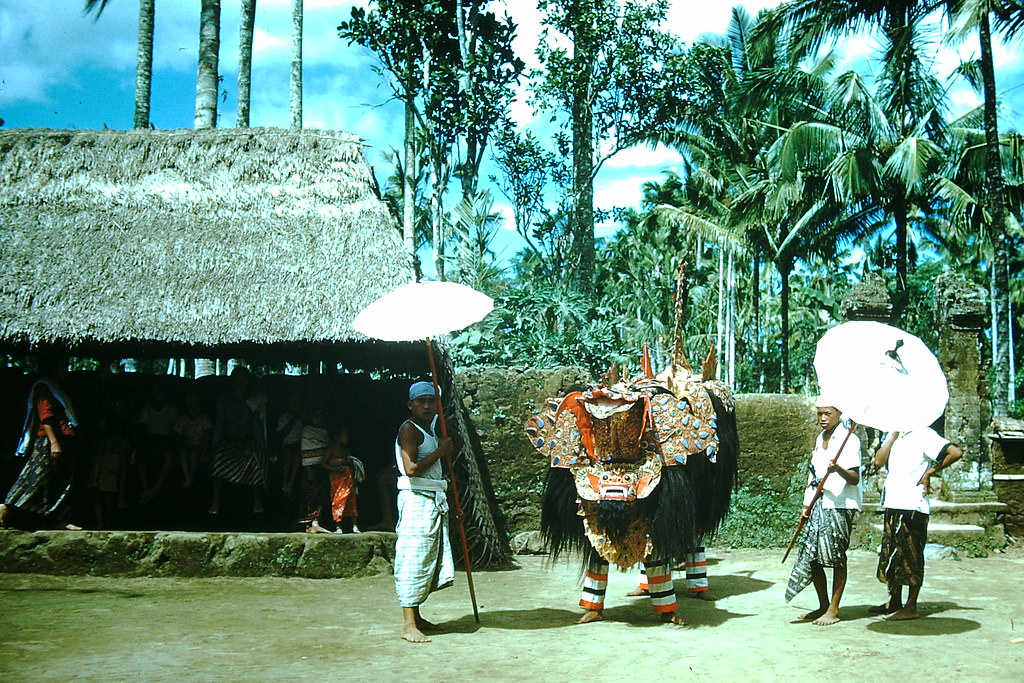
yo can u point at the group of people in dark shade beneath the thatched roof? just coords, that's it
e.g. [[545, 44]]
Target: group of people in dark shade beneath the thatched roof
[[132, 456]]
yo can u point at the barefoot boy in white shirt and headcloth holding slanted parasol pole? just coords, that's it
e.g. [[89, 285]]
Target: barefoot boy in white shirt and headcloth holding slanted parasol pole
[[827, 535]]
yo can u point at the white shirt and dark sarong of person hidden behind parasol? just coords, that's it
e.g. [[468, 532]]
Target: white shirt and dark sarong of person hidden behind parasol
[[902, 560]]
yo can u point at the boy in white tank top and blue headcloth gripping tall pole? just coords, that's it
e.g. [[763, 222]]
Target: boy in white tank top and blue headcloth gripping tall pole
[[423, 551]]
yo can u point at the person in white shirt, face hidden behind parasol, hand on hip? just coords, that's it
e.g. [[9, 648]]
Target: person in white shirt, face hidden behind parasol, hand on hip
[[911, 458]]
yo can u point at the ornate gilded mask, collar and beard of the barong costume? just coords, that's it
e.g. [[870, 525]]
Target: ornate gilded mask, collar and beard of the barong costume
[[616, 442]]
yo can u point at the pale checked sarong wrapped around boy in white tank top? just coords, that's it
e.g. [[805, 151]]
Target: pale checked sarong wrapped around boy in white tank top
[[423, 551]]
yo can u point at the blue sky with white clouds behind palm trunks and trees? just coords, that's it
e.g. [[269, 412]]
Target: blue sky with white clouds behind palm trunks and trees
[[60, 69]]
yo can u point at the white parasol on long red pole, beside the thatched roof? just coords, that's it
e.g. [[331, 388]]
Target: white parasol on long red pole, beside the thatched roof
[[421, 311]]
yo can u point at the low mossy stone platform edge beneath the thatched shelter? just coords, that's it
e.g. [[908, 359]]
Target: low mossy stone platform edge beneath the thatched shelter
[[197, 553]]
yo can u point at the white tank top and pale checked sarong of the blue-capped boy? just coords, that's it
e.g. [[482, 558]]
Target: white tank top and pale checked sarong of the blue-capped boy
[[423, 562]]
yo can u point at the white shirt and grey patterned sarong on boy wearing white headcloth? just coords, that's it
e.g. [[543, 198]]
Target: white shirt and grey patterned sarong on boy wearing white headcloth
[[827, 534]]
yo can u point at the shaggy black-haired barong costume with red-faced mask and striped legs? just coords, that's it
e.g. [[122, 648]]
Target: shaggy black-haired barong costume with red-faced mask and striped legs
[[638, 474]]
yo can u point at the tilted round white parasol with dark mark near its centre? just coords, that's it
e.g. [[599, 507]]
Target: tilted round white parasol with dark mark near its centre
[[881, 376]]
